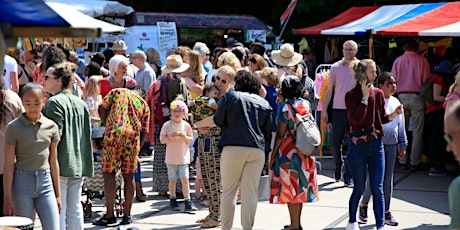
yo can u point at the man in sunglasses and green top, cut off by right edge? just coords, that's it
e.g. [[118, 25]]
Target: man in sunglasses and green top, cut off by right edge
[[452, 136]]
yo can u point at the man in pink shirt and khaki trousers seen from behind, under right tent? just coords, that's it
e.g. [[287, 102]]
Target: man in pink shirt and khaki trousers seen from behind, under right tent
[[411, 69]]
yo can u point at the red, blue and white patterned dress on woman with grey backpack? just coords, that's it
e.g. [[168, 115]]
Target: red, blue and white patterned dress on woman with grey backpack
[[293, 179]]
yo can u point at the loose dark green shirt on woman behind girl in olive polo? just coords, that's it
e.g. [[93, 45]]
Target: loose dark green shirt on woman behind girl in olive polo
[[75, 152]]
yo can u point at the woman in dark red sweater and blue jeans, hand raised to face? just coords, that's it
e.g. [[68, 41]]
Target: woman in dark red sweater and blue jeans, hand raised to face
[[366, 114]]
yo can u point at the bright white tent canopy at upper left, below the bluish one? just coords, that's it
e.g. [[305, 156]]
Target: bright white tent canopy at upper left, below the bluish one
[[80, 20]]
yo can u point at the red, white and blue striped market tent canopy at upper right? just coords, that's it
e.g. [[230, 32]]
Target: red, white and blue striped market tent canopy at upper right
[[428, 19]]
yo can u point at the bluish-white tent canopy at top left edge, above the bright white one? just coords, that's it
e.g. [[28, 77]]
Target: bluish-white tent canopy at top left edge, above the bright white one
[[97, 8]]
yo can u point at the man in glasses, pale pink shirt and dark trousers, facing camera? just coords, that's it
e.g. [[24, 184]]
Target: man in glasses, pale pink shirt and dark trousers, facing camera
[[340, 81]]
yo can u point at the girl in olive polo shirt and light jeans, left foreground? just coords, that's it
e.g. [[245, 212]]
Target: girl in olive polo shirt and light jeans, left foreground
[[31, 178]]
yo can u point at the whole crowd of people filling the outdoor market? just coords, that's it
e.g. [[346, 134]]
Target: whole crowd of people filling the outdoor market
[[230, 114]]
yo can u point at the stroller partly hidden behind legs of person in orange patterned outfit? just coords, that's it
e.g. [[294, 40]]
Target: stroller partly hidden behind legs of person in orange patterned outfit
[[95, 187]]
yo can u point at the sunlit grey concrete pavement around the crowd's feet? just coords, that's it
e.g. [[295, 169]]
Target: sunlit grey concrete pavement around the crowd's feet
[[419, 202]]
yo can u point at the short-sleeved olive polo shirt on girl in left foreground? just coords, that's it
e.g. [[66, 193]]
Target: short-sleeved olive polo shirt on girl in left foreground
[[32, 142]]
